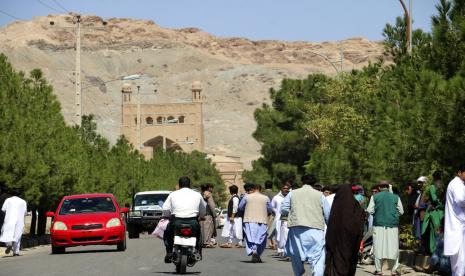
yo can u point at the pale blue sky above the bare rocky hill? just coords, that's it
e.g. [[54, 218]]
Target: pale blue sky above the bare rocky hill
[[308, 20]]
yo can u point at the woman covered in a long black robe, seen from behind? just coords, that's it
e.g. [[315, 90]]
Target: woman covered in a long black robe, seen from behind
[[344, 233]]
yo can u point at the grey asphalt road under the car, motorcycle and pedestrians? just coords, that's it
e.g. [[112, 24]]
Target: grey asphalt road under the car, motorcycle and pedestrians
[[143, 256]]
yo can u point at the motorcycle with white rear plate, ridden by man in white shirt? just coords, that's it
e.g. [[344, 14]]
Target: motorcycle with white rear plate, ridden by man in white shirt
[[184, 254]]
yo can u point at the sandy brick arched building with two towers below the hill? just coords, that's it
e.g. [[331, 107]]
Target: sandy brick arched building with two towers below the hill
[[174, 126]]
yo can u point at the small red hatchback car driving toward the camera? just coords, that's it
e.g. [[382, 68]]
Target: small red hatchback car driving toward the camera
[[87, 219]]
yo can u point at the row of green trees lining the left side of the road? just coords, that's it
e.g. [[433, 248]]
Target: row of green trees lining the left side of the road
[[47, 159]]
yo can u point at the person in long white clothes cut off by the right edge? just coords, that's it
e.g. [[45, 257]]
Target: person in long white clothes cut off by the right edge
[[454, 227]]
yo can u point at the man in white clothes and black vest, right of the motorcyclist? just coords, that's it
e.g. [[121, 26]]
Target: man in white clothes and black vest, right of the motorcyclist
[[232, 228]]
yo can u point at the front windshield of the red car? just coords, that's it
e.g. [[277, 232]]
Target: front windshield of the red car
[[87, 205]]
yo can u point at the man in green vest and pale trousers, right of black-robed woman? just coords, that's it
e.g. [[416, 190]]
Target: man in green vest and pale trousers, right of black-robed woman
[[386, 208]]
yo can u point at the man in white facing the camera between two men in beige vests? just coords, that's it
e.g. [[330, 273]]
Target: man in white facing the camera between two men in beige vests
[[281, 226]]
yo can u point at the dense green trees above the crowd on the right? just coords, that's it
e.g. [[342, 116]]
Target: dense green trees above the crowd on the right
[[394, 122]]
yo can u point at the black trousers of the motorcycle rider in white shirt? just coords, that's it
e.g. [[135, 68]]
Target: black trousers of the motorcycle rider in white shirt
[[168, 235]]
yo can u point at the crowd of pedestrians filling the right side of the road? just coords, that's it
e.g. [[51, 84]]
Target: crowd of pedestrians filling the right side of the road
[[324, 225]]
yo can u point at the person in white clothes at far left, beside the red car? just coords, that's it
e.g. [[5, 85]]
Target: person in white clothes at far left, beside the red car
[[15, 209]]
